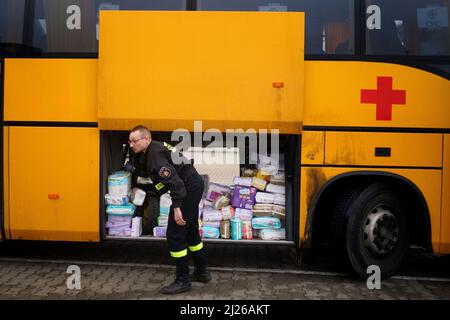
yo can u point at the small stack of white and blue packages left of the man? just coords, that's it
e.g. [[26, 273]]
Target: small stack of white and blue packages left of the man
[[119, 209]]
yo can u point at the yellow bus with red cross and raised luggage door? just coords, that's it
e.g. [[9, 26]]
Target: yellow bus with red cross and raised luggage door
[[355, 92]]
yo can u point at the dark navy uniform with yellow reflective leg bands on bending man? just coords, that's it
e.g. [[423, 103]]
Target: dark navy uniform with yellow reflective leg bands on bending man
[[186, 189]]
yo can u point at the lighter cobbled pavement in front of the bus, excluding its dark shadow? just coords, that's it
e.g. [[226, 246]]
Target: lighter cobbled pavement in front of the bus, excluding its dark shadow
[[30, 280]]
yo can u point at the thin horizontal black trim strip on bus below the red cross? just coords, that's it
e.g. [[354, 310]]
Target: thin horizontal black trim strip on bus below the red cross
[[376, 129]]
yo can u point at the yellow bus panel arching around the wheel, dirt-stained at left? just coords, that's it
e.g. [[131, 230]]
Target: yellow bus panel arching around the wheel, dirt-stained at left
[[428, 181]]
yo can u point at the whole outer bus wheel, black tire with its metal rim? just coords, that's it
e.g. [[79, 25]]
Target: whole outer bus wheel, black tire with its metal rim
[[377, 231]]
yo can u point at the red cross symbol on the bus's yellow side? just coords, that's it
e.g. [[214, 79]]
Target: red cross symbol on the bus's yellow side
[[384, 97]]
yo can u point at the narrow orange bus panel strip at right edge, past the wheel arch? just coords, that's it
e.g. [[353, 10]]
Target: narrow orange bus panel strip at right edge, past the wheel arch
[[445, 226]]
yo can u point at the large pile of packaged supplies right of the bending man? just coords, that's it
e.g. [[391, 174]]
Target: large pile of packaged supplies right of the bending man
[[253, 207]]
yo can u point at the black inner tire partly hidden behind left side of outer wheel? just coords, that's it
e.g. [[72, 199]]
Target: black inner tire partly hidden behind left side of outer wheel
[[338, 224]]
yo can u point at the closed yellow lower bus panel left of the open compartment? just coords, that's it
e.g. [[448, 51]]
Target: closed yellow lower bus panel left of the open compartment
[[54, 183]]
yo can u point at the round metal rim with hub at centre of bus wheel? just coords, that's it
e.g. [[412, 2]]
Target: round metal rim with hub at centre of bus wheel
[[380, 231]]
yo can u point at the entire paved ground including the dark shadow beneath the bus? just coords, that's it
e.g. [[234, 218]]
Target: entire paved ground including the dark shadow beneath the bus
[[135, 270]]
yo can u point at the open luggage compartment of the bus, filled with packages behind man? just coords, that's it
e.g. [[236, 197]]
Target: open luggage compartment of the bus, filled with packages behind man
[[220, 204]]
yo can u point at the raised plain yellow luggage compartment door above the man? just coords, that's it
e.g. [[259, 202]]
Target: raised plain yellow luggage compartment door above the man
[[231, 70]]
